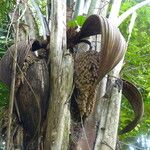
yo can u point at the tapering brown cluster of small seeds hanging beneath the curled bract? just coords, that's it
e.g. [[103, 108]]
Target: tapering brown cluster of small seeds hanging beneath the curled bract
[[86, 75]]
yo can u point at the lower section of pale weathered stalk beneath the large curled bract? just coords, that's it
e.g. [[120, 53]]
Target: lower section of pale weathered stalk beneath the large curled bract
[[108, 125]]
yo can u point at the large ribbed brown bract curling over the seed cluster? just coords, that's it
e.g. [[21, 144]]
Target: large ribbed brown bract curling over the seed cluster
[[113, 45]]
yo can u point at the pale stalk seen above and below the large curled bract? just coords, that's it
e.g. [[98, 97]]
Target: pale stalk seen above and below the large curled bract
[[108, 108]]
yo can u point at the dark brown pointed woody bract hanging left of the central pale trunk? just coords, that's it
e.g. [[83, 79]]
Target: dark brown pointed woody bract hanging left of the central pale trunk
[[31, 97]]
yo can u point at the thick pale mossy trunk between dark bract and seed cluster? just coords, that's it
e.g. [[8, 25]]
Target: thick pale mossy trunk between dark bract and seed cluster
[[61, 66]]
